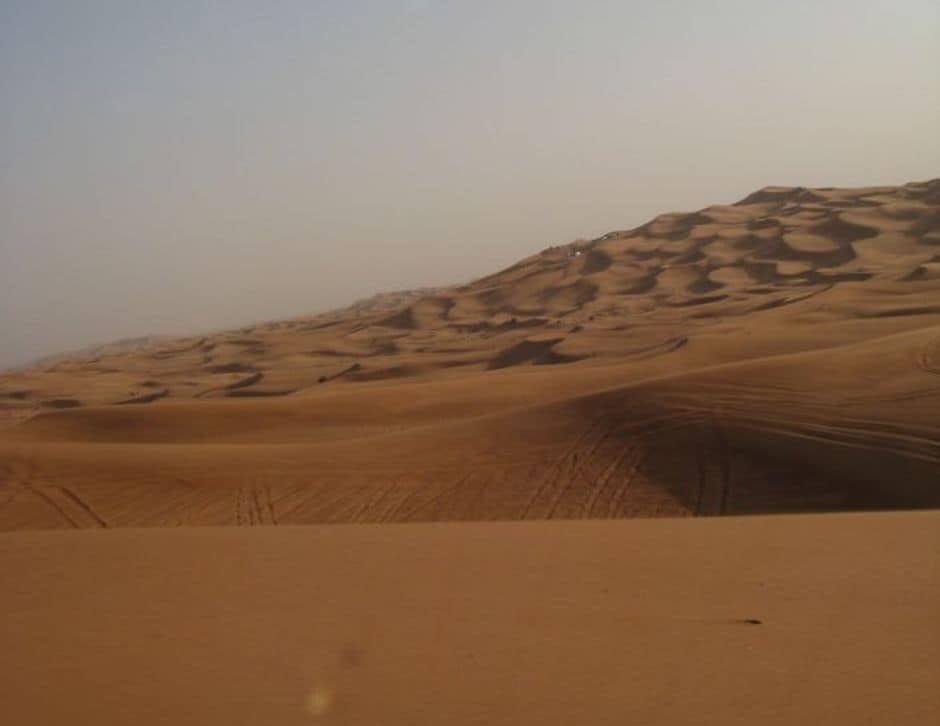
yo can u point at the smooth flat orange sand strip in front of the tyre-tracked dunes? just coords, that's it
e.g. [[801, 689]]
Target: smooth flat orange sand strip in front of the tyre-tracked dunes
[[644, 621]]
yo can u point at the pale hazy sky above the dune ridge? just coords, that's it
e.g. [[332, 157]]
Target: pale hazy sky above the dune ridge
[[176, 167]]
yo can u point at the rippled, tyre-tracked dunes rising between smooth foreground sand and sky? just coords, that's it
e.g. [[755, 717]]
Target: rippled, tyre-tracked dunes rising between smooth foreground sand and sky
[[779, 354]]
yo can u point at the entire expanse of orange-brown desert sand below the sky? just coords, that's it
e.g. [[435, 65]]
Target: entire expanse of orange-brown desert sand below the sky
[[778, 355]]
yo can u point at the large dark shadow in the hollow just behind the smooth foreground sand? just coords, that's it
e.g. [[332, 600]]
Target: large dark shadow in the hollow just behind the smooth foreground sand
[[740, 467]]
